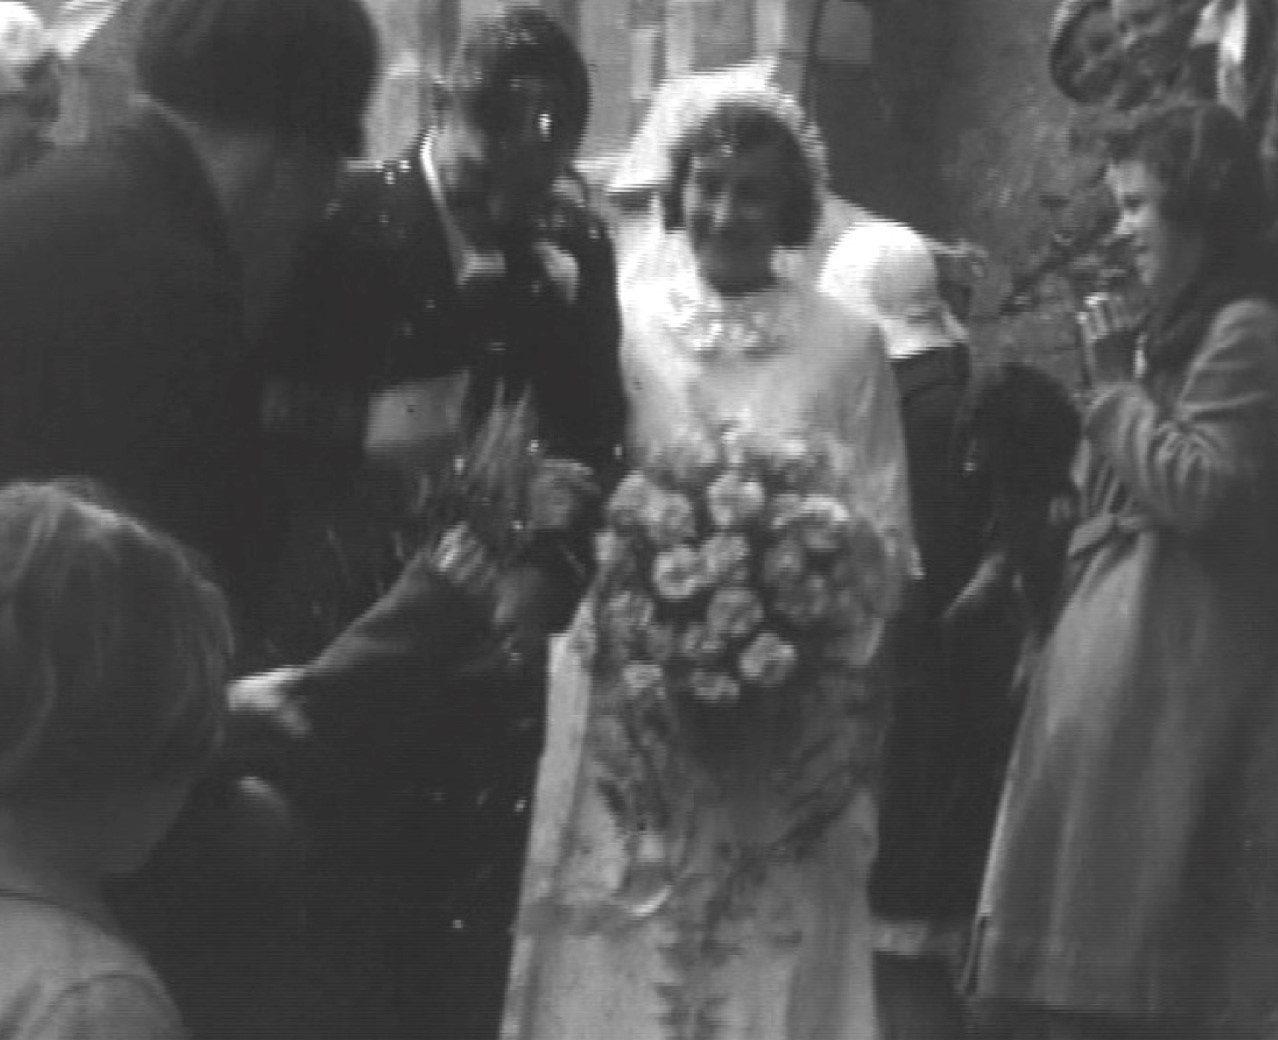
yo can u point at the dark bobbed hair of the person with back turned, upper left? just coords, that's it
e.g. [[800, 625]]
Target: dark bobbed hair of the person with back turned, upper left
[[300, 68]]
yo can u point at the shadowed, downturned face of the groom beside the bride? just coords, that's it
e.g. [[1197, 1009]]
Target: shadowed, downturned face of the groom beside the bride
[[507, 146]]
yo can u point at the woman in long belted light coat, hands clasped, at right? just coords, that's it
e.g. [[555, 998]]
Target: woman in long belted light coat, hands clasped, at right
[[1112, 889]]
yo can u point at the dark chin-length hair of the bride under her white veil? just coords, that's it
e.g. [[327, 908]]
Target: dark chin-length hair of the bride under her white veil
[[743, 123]]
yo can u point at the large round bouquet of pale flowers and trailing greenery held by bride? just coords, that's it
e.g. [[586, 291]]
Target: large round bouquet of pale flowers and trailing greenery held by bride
[[739, 597]]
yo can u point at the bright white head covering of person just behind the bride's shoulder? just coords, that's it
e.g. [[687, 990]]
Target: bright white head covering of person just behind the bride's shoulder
[[886, 273]]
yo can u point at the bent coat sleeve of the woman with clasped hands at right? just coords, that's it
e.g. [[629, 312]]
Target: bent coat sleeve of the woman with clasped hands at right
[[1211, 450]]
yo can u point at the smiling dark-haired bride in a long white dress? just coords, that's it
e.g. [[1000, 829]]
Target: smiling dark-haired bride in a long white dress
[[718, 338]]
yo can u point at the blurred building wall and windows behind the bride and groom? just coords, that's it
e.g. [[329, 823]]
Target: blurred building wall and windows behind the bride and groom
[[939, 113]]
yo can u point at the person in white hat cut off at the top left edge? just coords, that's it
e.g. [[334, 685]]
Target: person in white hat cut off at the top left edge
[[30, 88]]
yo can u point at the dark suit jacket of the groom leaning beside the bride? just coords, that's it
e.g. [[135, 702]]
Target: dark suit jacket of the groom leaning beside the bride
[[378, 303]]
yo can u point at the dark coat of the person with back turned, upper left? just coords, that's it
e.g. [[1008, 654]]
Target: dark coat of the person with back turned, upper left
[[123, 353]]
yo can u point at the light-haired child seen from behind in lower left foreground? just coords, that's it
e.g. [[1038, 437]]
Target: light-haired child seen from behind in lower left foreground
[[114, 655]]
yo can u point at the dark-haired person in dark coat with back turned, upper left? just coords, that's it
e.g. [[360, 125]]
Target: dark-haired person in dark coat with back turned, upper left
[[135, 275]]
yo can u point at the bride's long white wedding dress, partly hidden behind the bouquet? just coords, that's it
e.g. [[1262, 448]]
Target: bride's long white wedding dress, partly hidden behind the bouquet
[[789, 361]]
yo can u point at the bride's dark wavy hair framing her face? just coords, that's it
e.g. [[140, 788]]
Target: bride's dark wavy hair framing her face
[[742, 126]]
